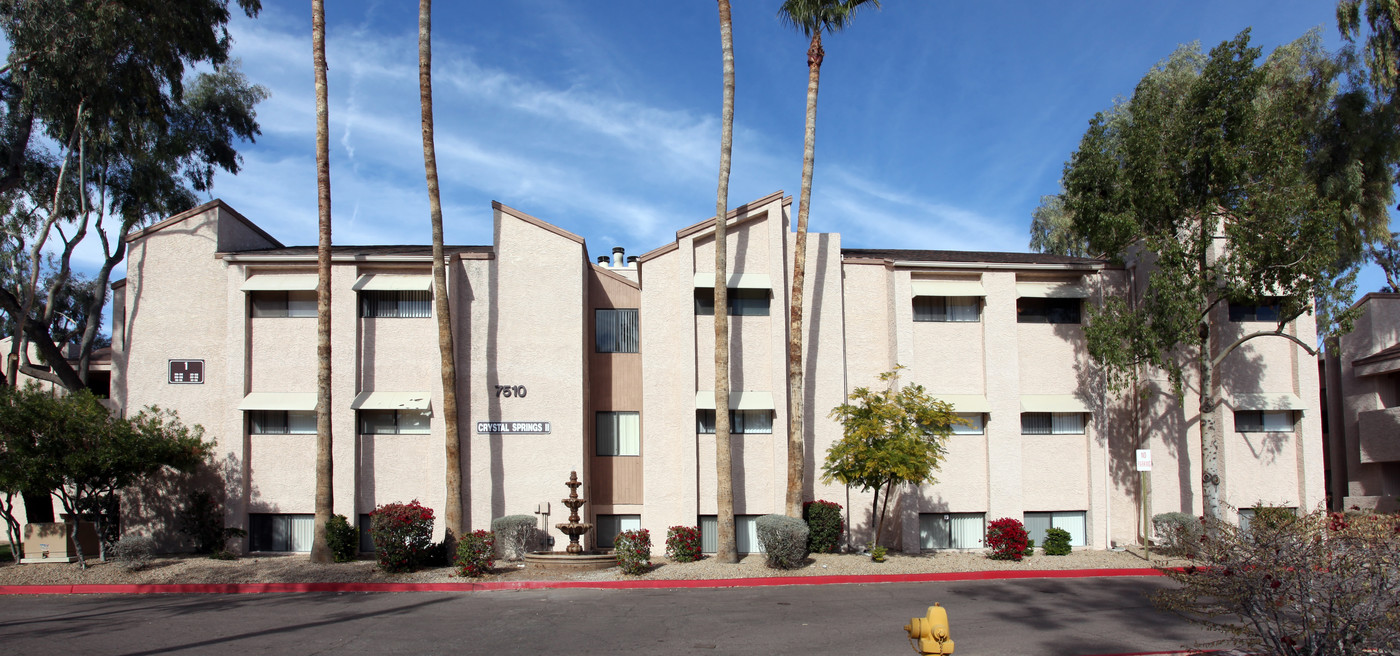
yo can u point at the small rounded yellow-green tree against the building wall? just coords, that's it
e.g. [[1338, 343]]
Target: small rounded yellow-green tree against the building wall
[[891, 437]]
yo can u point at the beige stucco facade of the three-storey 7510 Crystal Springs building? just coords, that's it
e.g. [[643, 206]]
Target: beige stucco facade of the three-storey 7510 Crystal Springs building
[[556, 373]]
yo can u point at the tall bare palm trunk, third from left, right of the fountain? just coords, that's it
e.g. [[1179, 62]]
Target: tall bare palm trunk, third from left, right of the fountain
[[727, 550]]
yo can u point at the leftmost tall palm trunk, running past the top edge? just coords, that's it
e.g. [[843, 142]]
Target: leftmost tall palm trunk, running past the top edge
[[320, 550]]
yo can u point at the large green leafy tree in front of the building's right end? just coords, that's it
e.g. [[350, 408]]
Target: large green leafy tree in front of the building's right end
[[1219, 177]]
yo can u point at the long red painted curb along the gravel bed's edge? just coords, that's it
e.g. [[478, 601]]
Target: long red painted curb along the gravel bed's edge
[[548, 585]]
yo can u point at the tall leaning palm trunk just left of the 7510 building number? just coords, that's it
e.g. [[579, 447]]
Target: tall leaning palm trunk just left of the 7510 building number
[[444, 318]]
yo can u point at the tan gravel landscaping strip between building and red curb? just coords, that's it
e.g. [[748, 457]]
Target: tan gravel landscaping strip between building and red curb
[[296, 569]]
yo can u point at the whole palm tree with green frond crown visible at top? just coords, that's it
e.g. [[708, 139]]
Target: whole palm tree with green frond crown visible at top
[[811, 17]]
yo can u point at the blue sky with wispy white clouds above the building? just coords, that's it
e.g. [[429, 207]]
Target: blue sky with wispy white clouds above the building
[[940, 124]]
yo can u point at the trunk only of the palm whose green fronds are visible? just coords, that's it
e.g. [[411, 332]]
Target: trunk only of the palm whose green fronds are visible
[[796, 437]]
